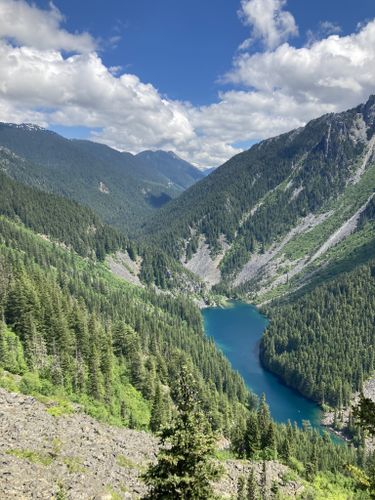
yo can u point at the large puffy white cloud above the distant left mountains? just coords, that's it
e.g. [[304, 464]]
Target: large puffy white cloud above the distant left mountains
[[80, 90]]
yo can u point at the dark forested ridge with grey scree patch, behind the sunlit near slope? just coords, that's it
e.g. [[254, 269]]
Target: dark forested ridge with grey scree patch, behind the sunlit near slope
[[77, 228]]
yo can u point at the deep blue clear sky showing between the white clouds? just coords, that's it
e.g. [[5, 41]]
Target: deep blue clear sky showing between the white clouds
[[183, 46]]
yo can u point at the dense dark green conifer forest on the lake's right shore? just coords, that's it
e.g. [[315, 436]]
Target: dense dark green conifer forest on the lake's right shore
[[321, 343]]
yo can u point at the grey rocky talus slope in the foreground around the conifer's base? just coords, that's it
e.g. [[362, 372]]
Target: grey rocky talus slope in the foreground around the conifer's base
[[76, 457]]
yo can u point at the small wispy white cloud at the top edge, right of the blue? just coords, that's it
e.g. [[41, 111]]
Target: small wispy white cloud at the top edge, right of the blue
[[269, 22]]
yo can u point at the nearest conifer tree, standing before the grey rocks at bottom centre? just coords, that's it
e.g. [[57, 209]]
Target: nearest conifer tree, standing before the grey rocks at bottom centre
[[184, 468]]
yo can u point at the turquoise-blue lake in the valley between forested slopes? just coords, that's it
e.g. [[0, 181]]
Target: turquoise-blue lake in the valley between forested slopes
[[237, 331]]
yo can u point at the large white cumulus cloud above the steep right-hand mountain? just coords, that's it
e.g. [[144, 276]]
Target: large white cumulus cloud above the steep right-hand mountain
[[330, 71]]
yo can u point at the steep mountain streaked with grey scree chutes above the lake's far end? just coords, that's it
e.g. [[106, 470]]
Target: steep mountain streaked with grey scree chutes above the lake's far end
[[267, 220]]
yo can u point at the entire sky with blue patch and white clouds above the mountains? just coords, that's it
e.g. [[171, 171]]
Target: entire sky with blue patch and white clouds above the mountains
[[205, 79]]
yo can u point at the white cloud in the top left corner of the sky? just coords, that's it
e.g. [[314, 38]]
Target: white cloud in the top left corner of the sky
[[28, 25]]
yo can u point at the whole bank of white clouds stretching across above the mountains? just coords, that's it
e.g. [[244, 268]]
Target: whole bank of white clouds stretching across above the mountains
[[52, 77]]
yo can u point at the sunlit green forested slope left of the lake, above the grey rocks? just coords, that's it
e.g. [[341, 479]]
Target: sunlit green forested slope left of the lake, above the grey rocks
[[101, 342]]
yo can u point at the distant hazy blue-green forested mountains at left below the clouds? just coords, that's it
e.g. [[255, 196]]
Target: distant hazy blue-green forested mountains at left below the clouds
[[122, 188]]
